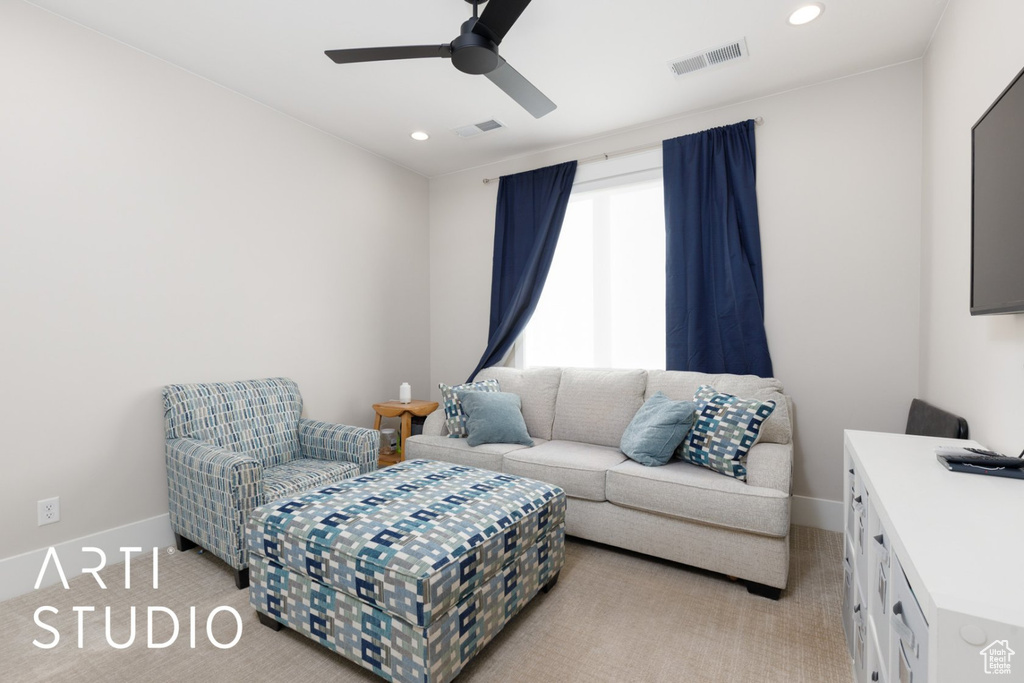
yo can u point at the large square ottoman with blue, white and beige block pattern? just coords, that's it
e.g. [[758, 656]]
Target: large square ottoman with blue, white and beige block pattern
[[409, 571]]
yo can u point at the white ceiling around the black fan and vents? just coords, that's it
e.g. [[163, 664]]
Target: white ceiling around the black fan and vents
[[603, 62]]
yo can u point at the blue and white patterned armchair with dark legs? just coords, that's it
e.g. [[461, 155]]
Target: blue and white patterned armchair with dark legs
[[235, 446]]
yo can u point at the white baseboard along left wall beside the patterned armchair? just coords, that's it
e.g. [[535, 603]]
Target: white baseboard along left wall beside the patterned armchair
[[19, 574]]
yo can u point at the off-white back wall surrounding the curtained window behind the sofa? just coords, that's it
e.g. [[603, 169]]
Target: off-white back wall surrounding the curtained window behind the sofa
[[839, 188]]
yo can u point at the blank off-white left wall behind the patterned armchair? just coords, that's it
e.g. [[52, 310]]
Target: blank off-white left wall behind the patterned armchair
[[156, 228]]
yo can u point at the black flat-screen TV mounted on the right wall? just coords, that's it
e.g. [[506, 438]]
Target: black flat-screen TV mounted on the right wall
[[998, 205]]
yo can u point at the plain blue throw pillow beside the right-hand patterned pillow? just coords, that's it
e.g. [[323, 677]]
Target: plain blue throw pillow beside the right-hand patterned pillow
[[658, 430]]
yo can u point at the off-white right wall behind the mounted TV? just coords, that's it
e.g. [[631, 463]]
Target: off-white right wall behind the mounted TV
[[972, 366]]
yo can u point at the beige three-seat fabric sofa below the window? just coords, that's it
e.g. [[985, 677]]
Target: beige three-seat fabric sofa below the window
[[680, 511]]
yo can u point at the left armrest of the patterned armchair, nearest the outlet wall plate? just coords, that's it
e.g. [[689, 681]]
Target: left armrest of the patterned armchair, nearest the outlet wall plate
[[211, 492]]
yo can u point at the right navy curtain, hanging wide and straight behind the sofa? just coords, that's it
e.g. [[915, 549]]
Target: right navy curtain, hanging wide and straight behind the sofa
[[714, 287]]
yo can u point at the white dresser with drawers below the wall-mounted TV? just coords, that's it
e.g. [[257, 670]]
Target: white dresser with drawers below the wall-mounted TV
[[934, 566]]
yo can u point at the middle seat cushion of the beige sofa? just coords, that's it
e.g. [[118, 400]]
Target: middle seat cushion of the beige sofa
[[577, 468]]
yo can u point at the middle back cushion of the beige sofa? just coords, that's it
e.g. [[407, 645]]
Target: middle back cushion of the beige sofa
[[596, 406]]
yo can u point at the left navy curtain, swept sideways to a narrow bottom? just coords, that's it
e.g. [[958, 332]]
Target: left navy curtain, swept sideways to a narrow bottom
[[529, 220]]
